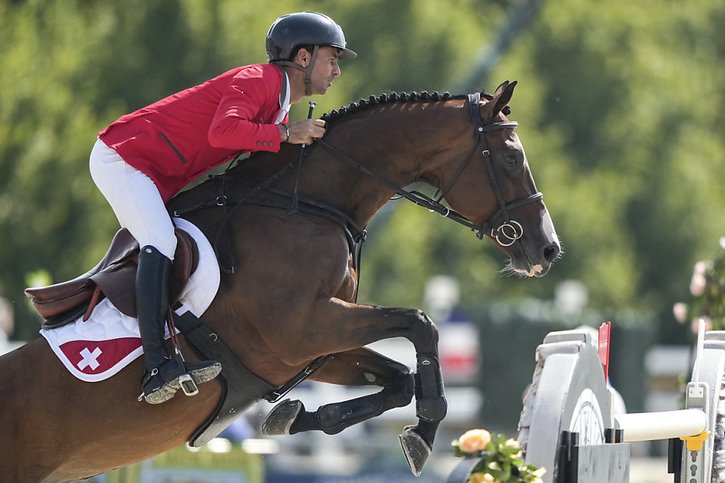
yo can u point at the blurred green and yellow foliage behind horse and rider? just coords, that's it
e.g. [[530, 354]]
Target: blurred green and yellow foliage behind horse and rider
[[620, 104]]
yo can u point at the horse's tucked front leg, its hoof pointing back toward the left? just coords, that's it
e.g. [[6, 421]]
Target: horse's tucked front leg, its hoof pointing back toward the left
[[361, 367]]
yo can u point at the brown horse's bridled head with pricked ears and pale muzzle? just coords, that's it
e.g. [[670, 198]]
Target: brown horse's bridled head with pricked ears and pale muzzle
[[510, 210]]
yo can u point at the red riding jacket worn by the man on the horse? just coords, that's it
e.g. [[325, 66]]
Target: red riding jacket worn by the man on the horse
[[188, 133]]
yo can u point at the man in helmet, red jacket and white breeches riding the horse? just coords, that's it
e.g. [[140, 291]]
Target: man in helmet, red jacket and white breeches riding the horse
[[144, 158]]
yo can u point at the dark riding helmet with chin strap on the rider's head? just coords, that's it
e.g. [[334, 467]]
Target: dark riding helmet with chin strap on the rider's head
[[294, 30]]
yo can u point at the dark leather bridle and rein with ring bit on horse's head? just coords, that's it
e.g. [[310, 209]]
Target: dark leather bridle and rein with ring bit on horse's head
[[508, 230]]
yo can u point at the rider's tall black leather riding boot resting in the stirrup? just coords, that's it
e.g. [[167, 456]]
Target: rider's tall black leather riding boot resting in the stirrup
[[164, 374]]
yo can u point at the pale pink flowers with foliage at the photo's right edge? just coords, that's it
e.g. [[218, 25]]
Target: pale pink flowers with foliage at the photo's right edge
[[707, 287]]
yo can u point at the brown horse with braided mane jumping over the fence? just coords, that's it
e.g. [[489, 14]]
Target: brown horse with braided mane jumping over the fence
[[288, 224]]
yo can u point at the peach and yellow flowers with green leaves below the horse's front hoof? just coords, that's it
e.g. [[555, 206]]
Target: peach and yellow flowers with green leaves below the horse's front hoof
[[500, 458]]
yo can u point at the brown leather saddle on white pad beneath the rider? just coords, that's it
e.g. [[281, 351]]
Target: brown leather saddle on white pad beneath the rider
[[113, 277]]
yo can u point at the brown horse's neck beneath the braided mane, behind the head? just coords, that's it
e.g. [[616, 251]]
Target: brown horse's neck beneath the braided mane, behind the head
[[400, 143]]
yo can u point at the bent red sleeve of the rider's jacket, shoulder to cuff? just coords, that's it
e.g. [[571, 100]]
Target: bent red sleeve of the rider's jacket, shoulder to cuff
[[239, 121]]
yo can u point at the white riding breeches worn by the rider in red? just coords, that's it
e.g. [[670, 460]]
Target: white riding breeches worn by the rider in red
[[134, 198]]
